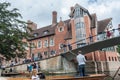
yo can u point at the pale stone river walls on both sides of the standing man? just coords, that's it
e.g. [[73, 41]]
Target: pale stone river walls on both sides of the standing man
[[59, 64]]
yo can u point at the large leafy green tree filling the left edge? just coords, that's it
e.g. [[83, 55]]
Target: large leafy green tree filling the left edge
[[12, 32]]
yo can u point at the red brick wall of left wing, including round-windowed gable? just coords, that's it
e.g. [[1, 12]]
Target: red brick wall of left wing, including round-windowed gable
[[58, 38]]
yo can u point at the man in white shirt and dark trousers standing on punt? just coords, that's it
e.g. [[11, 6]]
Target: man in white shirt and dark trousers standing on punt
[[81, 63]]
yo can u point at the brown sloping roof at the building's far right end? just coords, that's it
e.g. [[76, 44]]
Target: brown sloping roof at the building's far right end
[[102, 24]]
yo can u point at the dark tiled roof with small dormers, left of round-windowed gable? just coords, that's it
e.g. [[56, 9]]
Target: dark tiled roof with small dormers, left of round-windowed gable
[[50, 29]]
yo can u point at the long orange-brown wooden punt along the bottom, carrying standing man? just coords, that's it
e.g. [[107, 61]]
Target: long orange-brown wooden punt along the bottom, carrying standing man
[[67, 77]]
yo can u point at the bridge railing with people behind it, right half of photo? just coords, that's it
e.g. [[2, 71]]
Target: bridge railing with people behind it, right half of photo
[[93, 39]]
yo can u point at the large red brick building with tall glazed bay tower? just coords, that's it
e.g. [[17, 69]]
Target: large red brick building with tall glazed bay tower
[[47, 40]]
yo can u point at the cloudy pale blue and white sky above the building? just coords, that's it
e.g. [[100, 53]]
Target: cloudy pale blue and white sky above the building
[[40, 11]]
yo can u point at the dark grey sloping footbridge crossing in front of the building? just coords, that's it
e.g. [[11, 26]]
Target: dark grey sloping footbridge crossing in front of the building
[[96, 45]]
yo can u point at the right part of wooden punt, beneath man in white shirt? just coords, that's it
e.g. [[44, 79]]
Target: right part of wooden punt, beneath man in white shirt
[[90, 77]]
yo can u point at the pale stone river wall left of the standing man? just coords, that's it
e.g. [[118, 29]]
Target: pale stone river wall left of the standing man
[[56, 64]]
